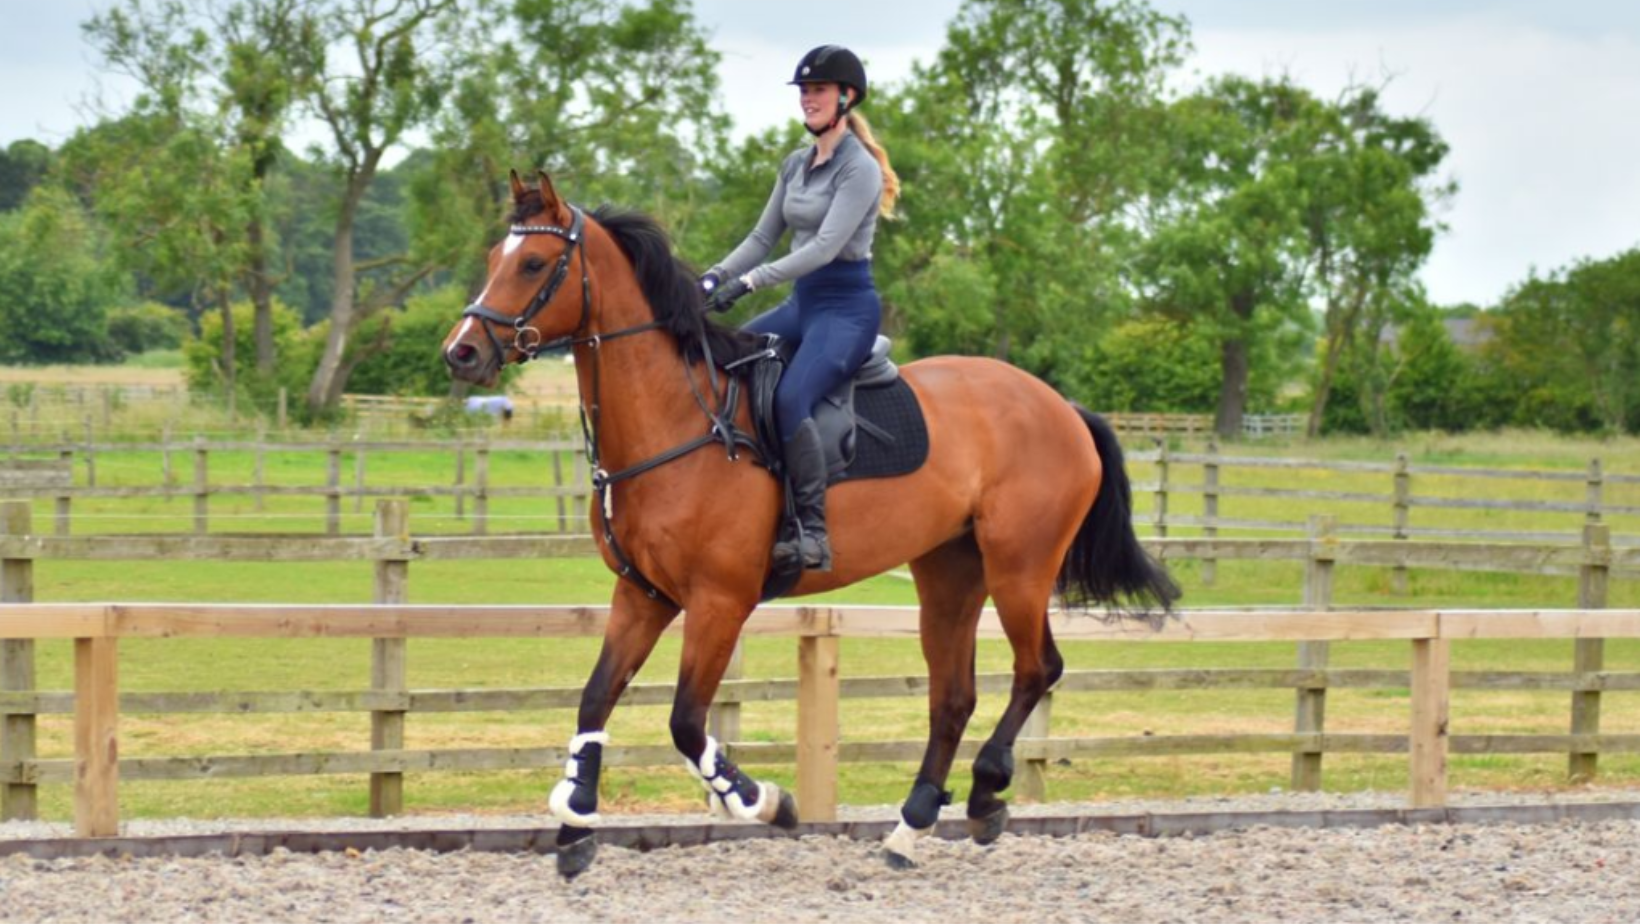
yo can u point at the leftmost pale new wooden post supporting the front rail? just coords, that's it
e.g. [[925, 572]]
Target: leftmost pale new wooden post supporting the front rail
[[96, 738]]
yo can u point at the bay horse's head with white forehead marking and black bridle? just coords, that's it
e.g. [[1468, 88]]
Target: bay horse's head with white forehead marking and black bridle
[[532, 296]]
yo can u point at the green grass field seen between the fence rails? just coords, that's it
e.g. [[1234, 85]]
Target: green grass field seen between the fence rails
[[345, 666]]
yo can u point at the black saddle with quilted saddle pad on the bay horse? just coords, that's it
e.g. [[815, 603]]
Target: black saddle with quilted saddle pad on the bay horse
[[870, 428]]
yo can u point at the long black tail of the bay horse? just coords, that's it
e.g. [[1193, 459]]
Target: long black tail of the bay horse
[[1106, 564]]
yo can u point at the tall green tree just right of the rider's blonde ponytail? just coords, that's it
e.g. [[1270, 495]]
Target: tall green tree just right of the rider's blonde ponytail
[[1021, 150]]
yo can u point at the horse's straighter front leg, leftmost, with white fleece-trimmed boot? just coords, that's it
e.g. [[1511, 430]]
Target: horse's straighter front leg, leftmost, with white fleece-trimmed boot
[[635, 624]]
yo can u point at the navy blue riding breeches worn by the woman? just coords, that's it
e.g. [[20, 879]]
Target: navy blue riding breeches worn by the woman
[[834, 318]]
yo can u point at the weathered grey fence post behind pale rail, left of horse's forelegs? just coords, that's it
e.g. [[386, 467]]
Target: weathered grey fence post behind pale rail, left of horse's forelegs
[[389, 659]]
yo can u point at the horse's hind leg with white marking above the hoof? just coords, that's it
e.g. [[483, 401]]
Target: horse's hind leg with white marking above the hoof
[[952, 588]]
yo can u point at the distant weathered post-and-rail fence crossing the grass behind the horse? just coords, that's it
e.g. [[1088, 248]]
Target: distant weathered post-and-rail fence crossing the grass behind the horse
[[1403, 508]]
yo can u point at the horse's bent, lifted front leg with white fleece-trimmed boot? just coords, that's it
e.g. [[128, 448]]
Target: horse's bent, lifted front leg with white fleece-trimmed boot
[[709, 643]]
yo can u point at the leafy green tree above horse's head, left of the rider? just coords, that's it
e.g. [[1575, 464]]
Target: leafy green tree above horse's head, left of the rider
[[621, 107]]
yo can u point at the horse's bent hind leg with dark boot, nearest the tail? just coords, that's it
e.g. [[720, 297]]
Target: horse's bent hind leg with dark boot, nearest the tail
[[1021, 595]]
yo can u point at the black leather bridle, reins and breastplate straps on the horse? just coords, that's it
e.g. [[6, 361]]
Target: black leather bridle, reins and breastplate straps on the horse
[[527, 341]]
